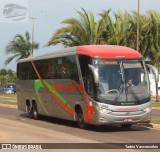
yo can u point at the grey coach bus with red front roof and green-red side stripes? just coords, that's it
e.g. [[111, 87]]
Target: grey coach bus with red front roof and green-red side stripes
[[86, 84]]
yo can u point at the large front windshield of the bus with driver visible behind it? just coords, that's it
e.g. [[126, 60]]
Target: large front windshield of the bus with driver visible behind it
[[122, 82]]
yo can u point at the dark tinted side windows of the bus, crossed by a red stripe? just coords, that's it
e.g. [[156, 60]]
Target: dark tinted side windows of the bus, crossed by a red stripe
[[56, 68]]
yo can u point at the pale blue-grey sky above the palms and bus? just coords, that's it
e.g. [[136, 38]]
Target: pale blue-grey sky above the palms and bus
[[50, 13]]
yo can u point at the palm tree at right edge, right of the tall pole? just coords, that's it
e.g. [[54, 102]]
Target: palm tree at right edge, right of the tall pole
[[150, 37]]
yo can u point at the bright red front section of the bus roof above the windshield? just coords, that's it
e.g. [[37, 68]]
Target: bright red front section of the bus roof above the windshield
[[108, 51]]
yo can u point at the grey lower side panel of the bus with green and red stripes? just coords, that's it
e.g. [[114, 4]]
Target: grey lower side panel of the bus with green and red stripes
[[49, 100]]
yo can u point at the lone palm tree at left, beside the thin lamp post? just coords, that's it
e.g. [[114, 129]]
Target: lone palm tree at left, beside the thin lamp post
[[20, 47]]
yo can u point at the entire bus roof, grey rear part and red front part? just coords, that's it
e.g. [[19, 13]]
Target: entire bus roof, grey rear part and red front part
[[95, 51]]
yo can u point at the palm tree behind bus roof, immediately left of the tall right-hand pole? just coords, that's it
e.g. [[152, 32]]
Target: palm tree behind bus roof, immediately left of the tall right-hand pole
[[119, 29]]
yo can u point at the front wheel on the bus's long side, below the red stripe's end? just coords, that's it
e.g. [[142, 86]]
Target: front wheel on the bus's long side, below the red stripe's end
[[80, 119]]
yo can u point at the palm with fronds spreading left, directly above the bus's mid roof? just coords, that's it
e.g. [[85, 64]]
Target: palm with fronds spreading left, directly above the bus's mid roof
[[81, 31]]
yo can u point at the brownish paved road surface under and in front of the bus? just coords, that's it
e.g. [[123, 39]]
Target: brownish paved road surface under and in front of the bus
[[106, 134]]
